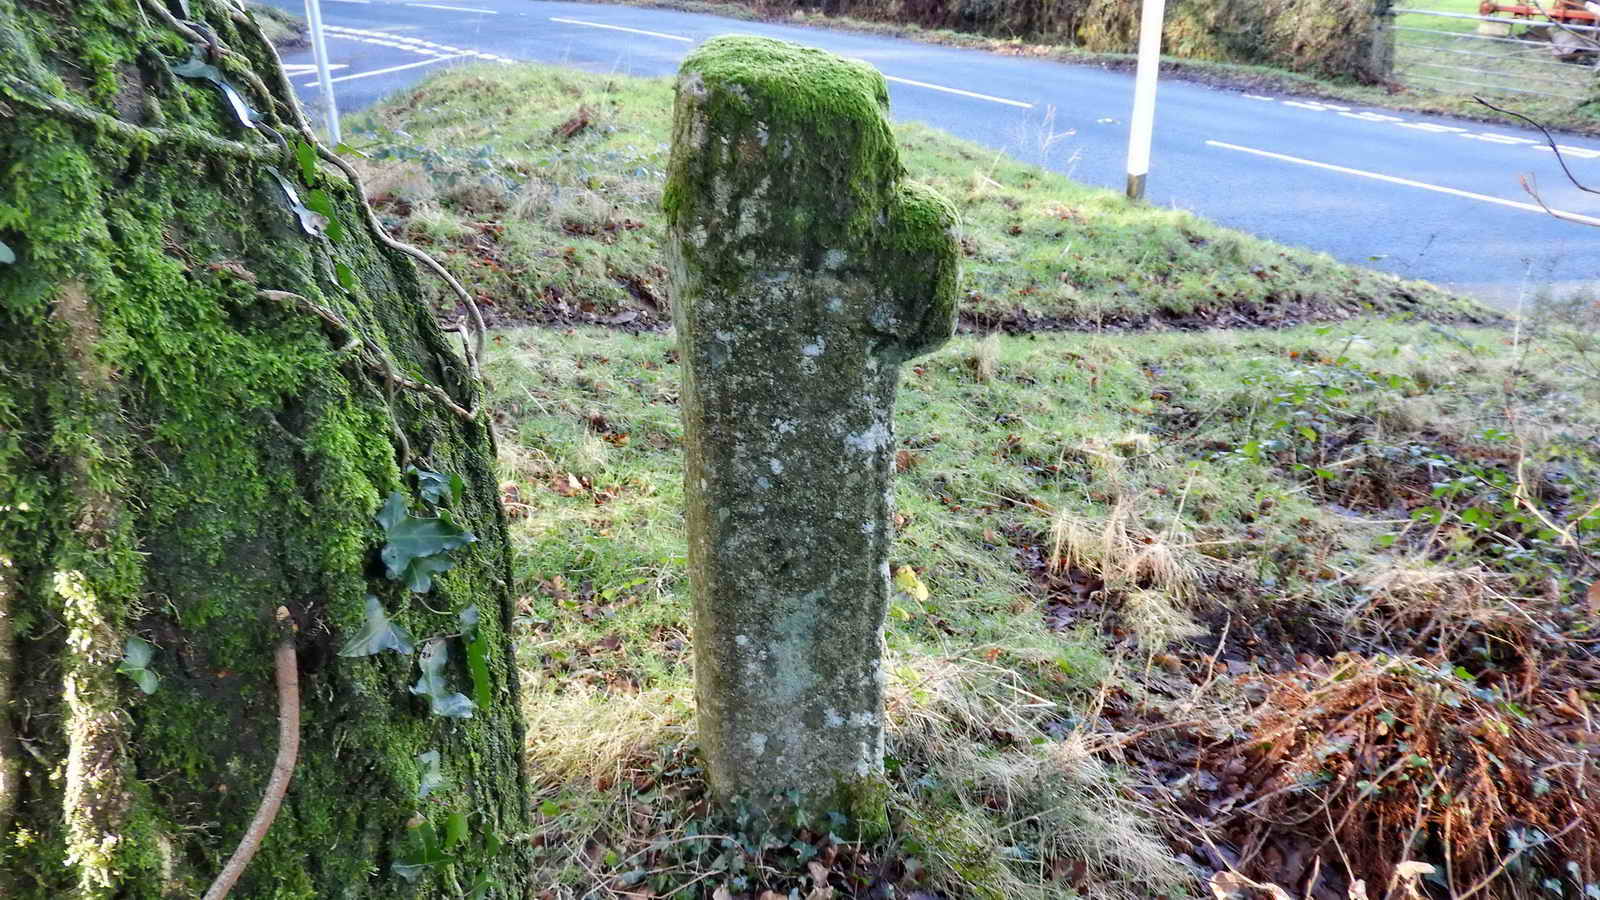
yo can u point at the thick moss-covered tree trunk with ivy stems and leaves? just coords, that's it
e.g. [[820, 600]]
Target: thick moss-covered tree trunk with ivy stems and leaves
[[206, 398]]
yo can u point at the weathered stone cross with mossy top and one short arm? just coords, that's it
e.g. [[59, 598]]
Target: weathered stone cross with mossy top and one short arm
[[806, 270]]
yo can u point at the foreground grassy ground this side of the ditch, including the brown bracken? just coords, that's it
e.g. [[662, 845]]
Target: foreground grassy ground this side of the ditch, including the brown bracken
[[1137, 577]]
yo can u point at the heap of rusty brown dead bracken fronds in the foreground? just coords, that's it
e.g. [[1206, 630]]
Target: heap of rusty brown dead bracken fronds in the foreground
[[1380, 761]]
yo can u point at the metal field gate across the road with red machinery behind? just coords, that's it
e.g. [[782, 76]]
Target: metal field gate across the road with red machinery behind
[[1529, 57]]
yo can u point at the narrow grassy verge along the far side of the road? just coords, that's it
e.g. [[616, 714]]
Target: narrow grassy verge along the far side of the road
[[1558, 115]]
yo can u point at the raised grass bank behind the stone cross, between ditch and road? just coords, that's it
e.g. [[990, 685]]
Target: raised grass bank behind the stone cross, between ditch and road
[[559, 228]]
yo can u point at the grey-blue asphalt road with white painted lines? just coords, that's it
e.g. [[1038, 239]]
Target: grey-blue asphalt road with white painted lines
[[1420, 196]]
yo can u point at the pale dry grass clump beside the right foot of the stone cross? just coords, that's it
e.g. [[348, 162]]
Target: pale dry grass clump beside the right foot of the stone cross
[[1058, 798]]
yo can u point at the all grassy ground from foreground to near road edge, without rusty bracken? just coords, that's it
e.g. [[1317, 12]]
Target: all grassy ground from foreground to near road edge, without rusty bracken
[[1119, 534]]
